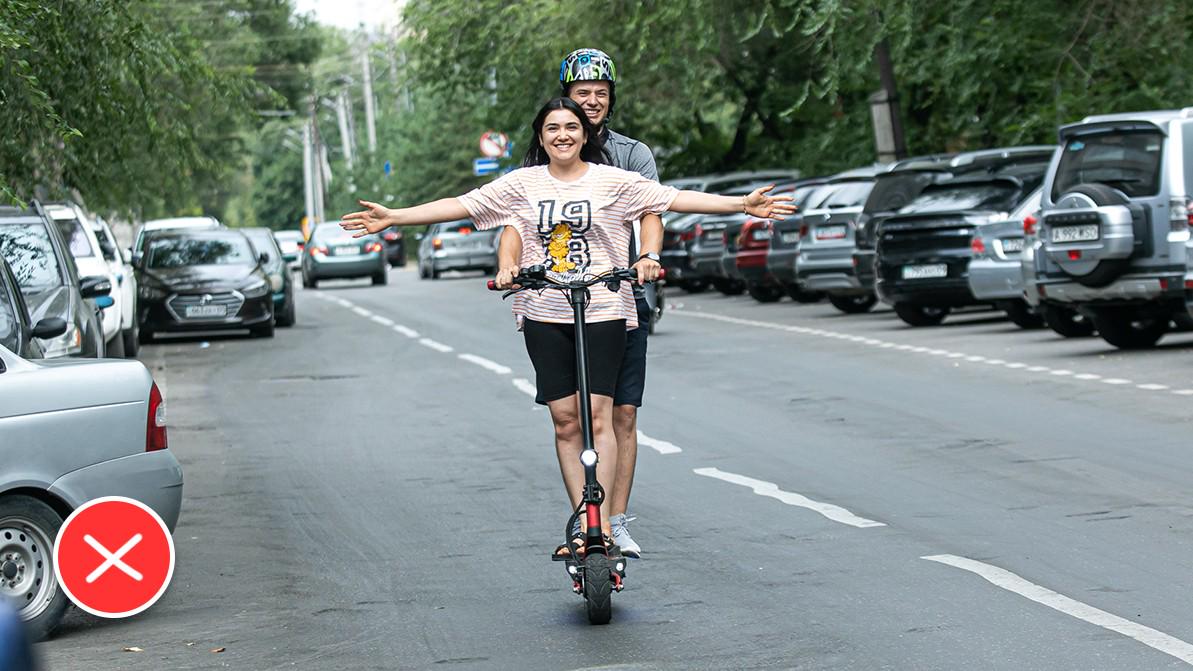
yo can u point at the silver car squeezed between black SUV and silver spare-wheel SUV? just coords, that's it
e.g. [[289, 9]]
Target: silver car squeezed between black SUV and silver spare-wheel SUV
[[996, 273]]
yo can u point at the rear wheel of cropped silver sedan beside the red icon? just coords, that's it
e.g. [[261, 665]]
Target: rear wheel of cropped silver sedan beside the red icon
[[28, 531]]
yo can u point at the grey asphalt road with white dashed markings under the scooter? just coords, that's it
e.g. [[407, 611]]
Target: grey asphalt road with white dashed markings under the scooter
[[375, 489]]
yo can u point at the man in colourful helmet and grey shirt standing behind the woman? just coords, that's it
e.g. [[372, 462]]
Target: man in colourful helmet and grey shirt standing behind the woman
[[590, 77]]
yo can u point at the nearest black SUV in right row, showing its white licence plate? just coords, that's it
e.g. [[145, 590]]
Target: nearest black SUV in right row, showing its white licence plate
[[925, 250]]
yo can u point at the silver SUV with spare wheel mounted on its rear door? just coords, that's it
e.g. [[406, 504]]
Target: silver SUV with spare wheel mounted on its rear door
[[1117, 214]]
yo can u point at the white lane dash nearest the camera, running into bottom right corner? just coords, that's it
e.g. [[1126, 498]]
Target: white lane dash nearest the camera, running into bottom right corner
[[1073, 608]]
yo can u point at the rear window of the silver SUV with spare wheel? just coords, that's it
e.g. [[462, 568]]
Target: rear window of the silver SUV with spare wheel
[[1128, 162]]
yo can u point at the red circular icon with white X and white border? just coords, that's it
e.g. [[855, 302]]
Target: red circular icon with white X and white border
[[114, 557]]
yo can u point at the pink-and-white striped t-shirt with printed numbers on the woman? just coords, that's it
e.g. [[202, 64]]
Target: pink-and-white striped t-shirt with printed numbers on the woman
[[574, 229]]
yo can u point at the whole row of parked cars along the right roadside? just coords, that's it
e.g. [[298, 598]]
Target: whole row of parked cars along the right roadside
[[1089, 236]]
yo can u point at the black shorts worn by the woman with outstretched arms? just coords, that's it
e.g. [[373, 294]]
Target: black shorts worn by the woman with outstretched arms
[[553, 352]]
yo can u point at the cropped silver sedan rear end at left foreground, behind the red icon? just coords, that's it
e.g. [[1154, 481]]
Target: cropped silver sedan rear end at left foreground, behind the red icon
[[58, 459]]
